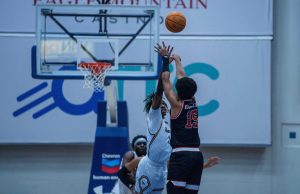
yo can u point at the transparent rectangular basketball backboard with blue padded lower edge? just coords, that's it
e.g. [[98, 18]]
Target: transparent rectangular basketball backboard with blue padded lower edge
[[124, 36]]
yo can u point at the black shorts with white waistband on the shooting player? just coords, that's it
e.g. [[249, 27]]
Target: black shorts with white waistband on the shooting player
[[185, 169]]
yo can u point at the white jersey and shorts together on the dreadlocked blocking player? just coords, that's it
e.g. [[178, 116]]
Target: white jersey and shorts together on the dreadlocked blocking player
[[151, 171]]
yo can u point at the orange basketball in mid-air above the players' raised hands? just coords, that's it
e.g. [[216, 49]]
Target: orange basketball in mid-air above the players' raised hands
[[175, 21]]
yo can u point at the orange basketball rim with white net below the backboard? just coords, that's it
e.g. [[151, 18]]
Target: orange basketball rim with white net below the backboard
[[94, 74]]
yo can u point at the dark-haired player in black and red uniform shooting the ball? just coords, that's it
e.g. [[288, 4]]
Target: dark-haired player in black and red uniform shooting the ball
[[186, 161]]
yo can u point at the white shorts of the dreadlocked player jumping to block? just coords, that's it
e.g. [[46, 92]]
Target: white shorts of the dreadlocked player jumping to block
[[150, 177]]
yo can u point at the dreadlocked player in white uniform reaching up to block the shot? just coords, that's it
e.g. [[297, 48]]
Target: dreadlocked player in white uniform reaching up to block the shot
[[151, 171]]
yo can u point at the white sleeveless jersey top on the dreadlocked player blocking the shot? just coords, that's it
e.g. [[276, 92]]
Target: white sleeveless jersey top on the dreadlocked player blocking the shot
[[158, 136]]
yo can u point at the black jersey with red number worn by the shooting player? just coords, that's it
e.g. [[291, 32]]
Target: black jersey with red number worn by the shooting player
[[184, 126]]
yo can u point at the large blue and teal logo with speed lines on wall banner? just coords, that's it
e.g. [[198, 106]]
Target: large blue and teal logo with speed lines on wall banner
[[59, 100]]
